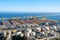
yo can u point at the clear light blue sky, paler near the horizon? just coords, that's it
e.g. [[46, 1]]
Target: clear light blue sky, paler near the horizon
[[29, 5]]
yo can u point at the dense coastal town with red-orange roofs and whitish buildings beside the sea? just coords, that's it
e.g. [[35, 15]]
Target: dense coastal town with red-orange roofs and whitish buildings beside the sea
[[32, 28]]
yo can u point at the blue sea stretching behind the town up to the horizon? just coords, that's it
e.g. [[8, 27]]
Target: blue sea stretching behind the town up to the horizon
[[50, 16]]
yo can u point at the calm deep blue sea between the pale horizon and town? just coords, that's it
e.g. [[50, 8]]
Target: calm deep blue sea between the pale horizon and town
[[53, 16]]
